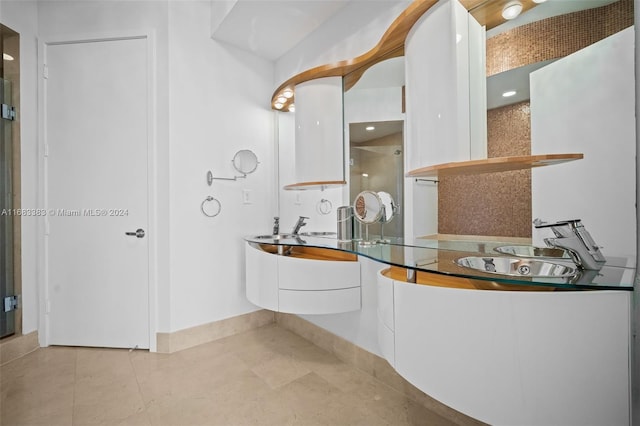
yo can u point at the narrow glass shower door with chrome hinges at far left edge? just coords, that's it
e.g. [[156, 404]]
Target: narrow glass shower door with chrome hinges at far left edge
[[7, 314]]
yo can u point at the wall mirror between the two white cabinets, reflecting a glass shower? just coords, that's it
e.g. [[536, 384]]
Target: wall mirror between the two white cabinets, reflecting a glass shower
[[374, 126]]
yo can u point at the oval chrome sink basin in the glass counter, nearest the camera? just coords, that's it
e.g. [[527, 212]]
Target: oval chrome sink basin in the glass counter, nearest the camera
[[517, 266]]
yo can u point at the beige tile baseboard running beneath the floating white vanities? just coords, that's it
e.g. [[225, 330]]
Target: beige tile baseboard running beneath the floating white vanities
[[370, 363]]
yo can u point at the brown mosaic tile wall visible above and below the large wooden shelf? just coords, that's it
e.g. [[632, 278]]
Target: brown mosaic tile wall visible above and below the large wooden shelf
[[499, 204]]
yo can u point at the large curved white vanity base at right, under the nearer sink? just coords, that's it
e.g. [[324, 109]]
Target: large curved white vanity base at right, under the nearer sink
[[512, 357]]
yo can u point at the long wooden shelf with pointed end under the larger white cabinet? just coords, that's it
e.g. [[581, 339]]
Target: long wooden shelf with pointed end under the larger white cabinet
[[493, 165]]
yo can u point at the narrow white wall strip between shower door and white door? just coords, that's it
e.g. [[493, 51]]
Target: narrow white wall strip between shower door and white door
[[22, 17]]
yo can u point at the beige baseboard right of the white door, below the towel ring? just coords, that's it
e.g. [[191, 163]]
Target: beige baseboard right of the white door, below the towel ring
[[194, 336]]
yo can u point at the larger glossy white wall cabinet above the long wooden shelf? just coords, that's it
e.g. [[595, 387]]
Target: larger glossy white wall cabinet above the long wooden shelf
[[438, 97]]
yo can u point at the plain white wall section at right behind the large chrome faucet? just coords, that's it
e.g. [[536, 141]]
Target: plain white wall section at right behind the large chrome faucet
[[585, 103]]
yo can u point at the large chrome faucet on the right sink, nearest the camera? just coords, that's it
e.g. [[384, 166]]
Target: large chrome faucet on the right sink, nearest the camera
[[572, 236]]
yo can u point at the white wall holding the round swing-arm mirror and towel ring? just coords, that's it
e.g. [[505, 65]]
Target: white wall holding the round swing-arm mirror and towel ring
[[219, 103]]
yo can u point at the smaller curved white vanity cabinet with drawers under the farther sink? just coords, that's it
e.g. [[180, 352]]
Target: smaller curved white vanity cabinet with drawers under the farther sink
[[302, 285]]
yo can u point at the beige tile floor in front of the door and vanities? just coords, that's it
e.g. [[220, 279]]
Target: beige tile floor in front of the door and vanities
[[267, 376]]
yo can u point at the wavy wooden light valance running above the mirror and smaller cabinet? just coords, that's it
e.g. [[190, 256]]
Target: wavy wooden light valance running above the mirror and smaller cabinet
[[390, 45]]
